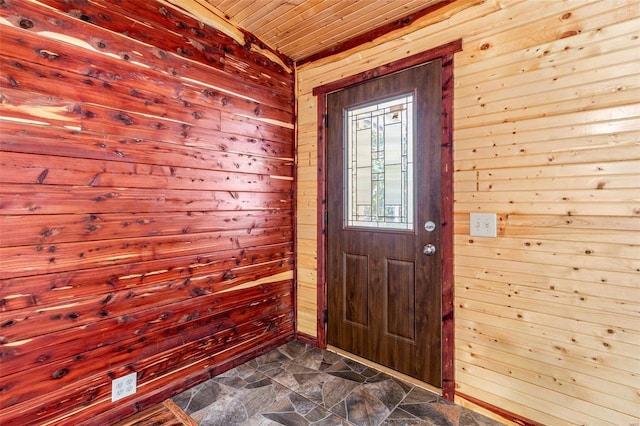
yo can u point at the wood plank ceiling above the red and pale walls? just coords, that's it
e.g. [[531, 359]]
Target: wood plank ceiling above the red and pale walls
[[301, 28]]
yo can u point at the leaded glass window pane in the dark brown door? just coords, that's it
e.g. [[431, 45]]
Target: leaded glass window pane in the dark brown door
[[379, 163]]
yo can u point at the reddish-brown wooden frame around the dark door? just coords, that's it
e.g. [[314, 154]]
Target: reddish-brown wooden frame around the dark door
[[445, 53]]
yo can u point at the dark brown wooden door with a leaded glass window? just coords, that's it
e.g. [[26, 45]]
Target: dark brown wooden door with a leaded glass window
[[383, 181]]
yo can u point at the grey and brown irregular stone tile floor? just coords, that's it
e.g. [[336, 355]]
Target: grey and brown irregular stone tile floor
[[299, 384]]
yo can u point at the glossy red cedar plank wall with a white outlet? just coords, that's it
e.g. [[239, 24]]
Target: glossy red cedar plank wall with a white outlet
[[146, 206]]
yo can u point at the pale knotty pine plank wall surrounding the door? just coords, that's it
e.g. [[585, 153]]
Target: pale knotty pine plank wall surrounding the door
[[547, 124]]
